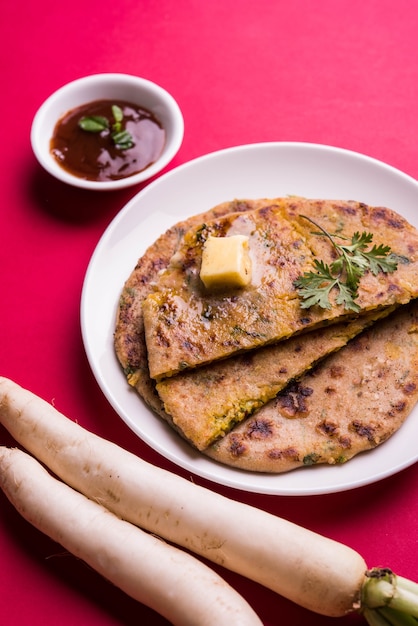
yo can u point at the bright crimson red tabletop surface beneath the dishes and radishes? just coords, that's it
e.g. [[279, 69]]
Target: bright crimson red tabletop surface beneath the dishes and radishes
[[342, 73]]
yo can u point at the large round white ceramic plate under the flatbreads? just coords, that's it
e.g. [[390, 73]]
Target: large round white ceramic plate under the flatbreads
[[252, 171]]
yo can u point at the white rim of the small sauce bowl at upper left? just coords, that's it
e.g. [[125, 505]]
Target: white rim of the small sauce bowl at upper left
[[173, 143]]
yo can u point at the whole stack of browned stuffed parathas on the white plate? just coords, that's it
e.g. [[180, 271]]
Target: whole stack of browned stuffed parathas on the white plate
[[247, 375]]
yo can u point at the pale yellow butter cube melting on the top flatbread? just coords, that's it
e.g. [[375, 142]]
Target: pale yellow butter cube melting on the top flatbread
[[226, 262]]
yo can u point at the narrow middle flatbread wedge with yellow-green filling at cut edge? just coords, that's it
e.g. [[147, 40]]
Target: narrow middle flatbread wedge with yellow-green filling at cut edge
[[205, 403]]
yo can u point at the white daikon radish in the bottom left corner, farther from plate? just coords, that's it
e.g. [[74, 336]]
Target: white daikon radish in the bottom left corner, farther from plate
[[165, 578]]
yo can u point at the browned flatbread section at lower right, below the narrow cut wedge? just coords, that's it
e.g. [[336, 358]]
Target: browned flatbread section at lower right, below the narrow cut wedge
[[351, 402]]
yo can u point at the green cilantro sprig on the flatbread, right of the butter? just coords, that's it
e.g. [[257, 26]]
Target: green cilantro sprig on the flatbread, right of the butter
[[343, 274]]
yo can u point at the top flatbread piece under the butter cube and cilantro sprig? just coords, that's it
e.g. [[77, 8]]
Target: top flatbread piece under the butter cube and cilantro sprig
[[187, 326]]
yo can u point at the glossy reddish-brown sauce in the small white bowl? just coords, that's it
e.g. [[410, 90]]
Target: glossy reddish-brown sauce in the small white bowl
[[94, 156]]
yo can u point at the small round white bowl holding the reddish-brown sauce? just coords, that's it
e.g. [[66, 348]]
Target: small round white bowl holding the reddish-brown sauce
[[107, 86]]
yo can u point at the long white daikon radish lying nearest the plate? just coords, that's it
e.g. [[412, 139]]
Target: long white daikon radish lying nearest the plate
[[317, 573]]
